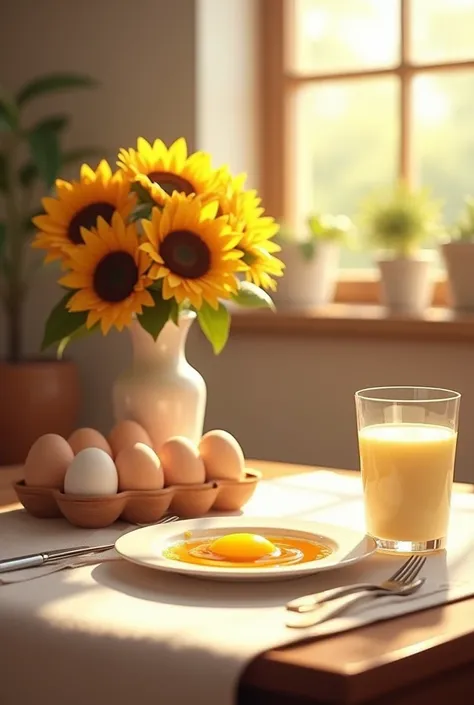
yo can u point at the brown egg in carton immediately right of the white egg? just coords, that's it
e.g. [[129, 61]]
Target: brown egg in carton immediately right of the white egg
[[139, 468]]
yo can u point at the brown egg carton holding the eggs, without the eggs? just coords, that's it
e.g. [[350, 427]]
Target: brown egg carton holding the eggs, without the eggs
[[138, 506]]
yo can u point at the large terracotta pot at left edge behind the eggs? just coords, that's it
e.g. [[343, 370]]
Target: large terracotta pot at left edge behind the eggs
[[36, 398]]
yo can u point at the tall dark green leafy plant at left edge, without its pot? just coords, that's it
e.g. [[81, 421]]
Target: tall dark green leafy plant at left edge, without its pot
[[31, 159]]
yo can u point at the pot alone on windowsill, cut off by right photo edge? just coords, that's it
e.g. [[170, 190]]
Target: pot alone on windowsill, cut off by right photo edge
[[459, 261]]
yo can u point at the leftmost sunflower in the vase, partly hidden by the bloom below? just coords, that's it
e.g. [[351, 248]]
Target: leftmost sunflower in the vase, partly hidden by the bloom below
[[98, 194]]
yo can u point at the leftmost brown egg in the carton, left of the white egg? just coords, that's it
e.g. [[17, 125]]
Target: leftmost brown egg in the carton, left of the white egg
[[47, 462]]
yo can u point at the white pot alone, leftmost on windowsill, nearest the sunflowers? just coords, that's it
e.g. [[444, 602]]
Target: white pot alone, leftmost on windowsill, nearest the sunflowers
[[308, 282]]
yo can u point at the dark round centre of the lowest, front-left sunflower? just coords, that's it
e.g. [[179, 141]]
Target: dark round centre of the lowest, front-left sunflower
[[115, 277]]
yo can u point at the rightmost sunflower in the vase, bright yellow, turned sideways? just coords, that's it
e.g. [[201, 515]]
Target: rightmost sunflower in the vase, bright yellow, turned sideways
[[256, 230]]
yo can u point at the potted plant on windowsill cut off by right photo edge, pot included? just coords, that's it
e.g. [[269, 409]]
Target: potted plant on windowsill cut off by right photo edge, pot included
[[458, 256]]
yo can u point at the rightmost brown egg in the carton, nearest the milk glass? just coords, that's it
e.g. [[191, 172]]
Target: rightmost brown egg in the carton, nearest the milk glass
[[222, 456]]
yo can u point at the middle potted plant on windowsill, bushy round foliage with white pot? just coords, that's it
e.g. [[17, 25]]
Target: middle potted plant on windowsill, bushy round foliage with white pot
[[397, 222]]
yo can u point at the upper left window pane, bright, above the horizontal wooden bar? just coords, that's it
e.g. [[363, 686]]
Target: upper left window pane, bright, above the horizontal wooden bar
[[345, 35]]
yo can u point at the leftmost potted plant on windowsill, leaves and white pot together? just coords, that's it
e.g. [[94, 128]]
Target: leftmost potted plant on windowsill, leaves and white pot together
[[312, 262]]
